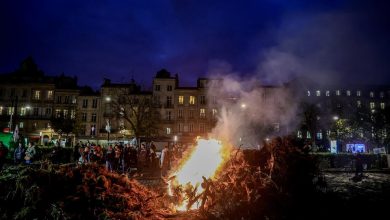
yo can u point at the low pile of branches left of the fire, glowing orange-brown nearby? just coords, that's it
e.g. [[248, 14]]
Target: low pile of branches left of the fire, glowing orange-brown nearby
[[68, 192]]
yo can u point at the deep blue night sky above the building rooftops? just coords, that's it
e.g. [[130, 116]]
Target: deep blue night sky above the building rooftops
[[273, 40]]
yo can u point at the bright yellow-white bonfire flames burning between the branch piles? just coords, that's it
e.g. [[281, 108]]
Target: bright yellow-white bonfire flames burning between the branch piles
[[204, 161]]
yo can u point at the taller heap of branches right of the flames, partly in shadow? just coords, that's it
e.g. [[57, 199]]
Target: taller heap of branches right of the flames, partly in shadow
[[278, 184]]
